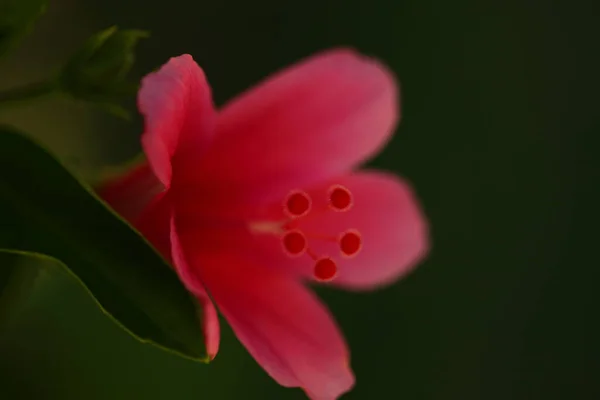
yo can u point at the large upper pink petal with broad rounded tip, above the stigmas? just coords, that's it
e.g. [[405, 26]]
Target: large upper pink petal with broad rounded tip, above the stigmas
[[306, 123]]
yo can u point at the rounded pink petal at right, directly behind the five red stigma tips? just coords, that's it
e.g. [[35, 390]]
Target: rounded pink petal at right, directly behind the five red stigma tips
[[386, 213]]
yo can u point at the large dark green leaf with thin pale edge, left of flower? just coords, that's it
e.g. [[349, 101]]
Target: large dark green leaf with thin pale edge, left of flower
[[45, 210]]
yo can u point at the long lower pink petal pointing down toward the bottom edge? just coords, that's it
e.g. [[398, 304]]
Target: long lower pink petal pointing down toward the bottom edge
[[281, 323]]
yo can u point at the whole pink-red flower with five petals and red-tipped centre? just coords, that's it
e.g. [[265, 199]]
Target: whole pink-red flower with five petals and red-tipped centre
[[255, 199]]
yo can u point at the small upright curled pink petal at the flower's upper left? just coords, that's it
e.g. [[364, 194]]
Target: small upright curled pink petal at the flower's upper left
[[179, 114]]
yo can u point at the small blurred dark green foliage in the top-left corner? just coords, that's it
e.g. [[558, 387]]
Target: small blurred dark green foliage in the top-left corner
[[17, 18]]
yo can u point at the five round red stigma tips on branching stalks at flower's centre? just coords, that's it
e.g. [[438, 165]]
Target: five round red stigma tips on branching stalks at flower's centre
[[295, 242]]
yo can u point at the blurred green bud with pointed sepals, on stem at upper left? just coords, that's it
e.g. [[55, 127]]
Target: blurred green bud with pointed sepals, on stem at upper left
[[97, 72]]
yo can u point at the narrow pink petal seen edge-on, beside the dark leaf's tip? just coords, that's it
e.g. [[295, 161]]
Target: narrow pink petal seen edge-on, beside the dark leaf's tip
[[210, 320]]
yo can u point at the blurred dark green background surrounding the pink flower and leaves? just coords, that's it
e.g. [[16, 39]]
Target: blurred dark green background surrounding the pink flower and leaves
[[498, 138]]
